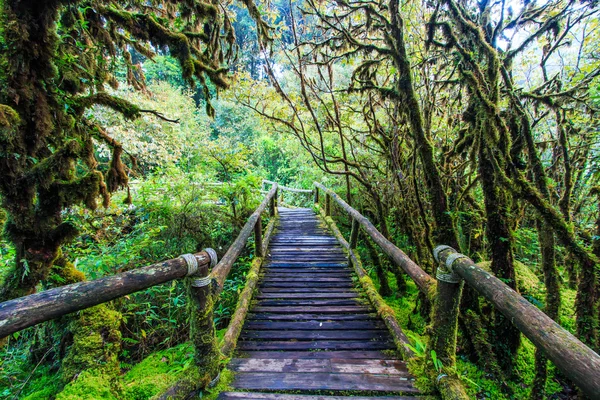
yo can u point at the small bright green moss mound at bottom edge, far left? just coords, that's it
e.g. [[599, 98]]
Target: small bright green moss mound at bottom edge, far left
[[89, 385]]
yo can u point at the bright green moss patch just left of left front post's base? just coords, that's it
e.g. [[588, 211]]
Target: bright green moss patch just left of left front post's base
[[157, 372]]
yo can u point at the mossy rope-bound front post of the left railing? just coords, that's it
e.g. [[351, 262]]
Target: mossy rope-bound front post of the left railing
[[202, 328]]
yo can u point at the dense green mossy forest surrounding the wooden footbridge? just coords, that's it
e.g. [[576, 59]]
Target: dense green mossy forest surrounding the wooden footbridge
[[469, 124]]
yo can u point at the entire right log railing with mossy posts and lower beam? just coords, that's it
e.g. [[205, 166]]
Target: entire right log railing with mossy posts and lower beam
[[573, 358]]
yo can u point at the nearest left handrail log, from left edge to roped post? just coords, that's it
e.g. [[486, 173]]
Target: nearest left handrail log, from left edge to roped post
[[23, 312]]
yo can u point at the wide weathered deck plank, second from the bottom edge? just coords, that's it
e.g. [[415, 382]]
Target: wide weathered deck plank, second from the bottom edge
[[322, 381]]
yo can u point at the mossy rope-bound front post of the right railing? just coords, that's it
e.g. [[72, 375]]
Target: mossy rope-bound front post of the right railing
[[445, 326]]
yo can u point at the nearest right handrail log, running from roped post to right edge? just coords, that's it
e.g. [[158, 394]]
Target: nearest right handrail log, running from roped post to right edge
[[573, 358]]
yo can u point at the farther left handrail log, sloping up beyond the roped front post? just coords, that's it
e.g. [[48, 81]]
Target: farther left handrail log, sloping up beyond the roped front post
[[221, 271]]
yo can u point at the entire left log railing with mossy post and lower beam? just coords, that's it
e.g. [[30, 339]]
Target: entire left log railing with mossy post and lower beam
[[203, 287]]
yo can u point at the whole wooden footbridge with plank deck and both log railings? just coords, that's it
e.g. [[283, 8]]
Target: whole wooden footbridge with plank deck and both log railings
[[309, 320]]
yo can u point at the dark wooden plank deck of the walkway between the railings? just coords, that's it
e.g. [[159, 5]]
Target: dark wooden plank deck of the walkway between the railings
[[310, 331]]
